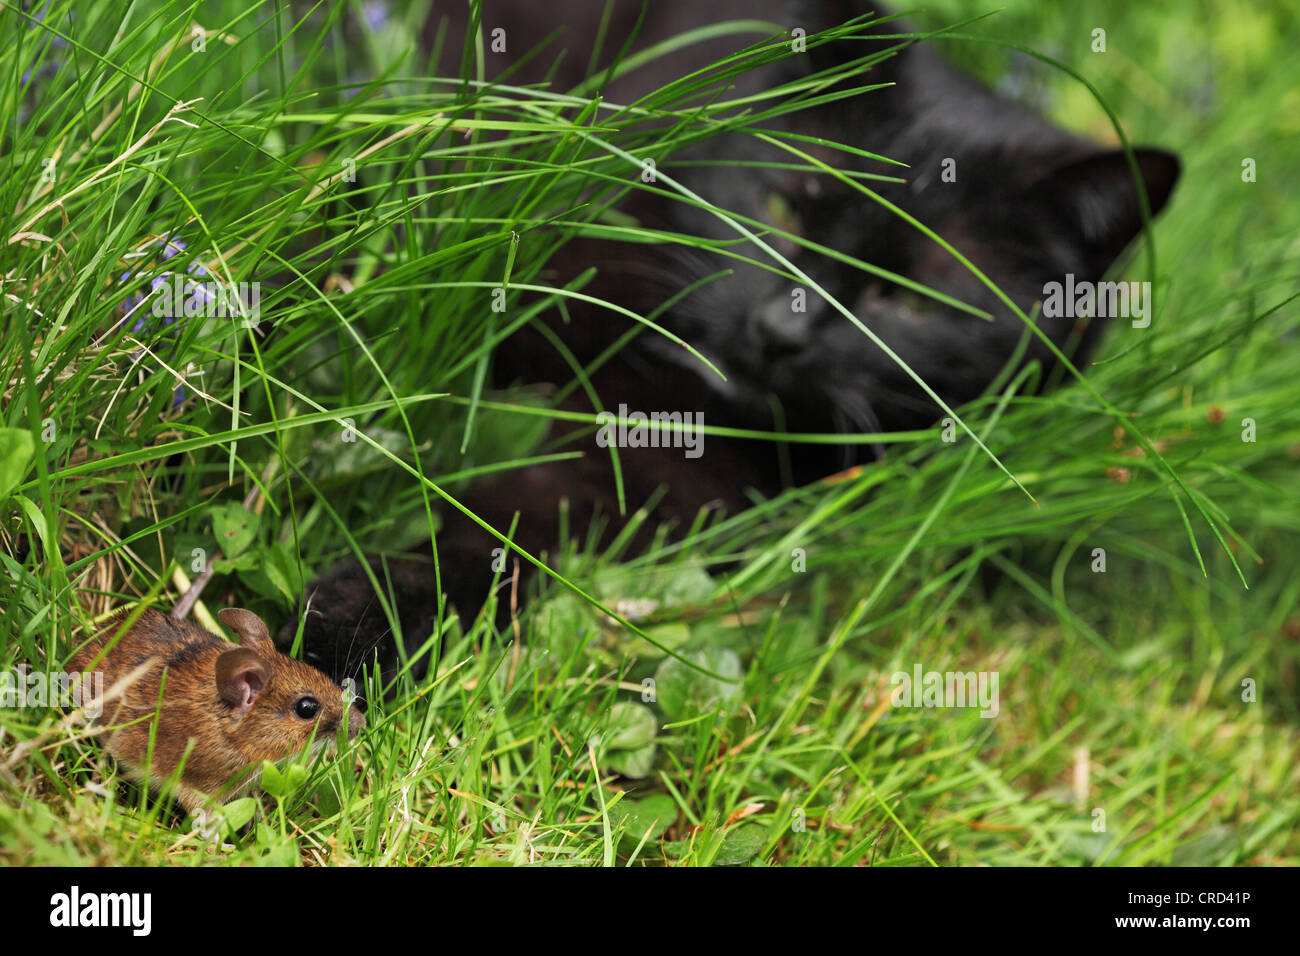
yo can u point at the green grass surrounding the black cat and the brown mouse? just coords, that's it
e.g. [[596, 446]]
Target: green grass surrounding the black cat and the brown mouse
[[1121, 693]]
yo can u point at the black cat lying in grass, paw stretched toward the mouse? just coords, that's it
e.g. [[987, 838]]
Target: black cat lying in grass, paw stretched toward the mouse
[[1026, 202]]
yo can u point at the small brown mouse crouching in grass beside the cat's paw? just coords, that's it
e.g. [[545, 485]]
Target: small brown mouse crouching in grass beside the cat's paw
[[240, 704]]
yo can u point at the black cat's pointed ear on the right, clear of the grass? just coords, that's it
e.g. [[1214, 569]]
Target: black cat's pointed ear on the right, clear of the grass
[[1099, 196]]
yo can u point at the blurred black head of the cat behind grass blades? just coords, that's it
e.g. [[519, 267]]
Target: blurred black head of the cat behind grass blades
[[1024, 202]]
